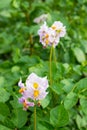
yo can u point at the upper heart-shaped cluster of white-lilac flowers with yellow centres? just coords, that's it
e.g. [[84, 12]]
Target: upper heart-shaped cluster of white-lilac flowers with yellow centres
[[50, 36]]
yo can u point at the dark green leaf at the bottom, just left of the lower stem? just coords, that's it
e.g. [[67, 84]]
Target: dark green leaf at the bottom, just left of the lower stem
[[20, 117]]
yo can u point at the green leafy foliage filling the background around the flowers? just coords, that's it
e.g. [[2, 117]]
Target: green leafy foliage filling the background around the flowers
[[21, 53]]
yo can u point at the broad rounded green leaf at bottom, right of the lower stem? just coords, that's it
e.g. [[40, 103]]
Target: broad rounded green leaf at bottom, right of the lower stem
[[59, 116]]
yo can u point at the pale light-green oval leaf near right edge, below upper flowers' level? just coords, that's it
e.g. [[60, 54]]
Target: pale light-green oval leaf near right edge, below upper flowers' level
[[79, 54]]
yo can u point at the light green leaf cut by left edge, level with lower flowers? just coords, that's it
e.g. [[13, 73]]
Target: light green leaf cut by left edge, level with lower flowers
[[4, 95]]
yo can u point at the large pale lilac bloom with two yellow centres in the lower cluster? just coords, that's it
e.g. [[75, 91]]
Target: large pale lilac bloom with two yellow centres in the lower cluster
[[36, 87]]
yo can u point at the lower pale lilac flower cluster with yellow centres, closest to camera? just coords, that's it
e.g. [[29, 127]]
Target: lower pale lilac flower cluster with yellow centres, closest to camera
[[33, 90]]
